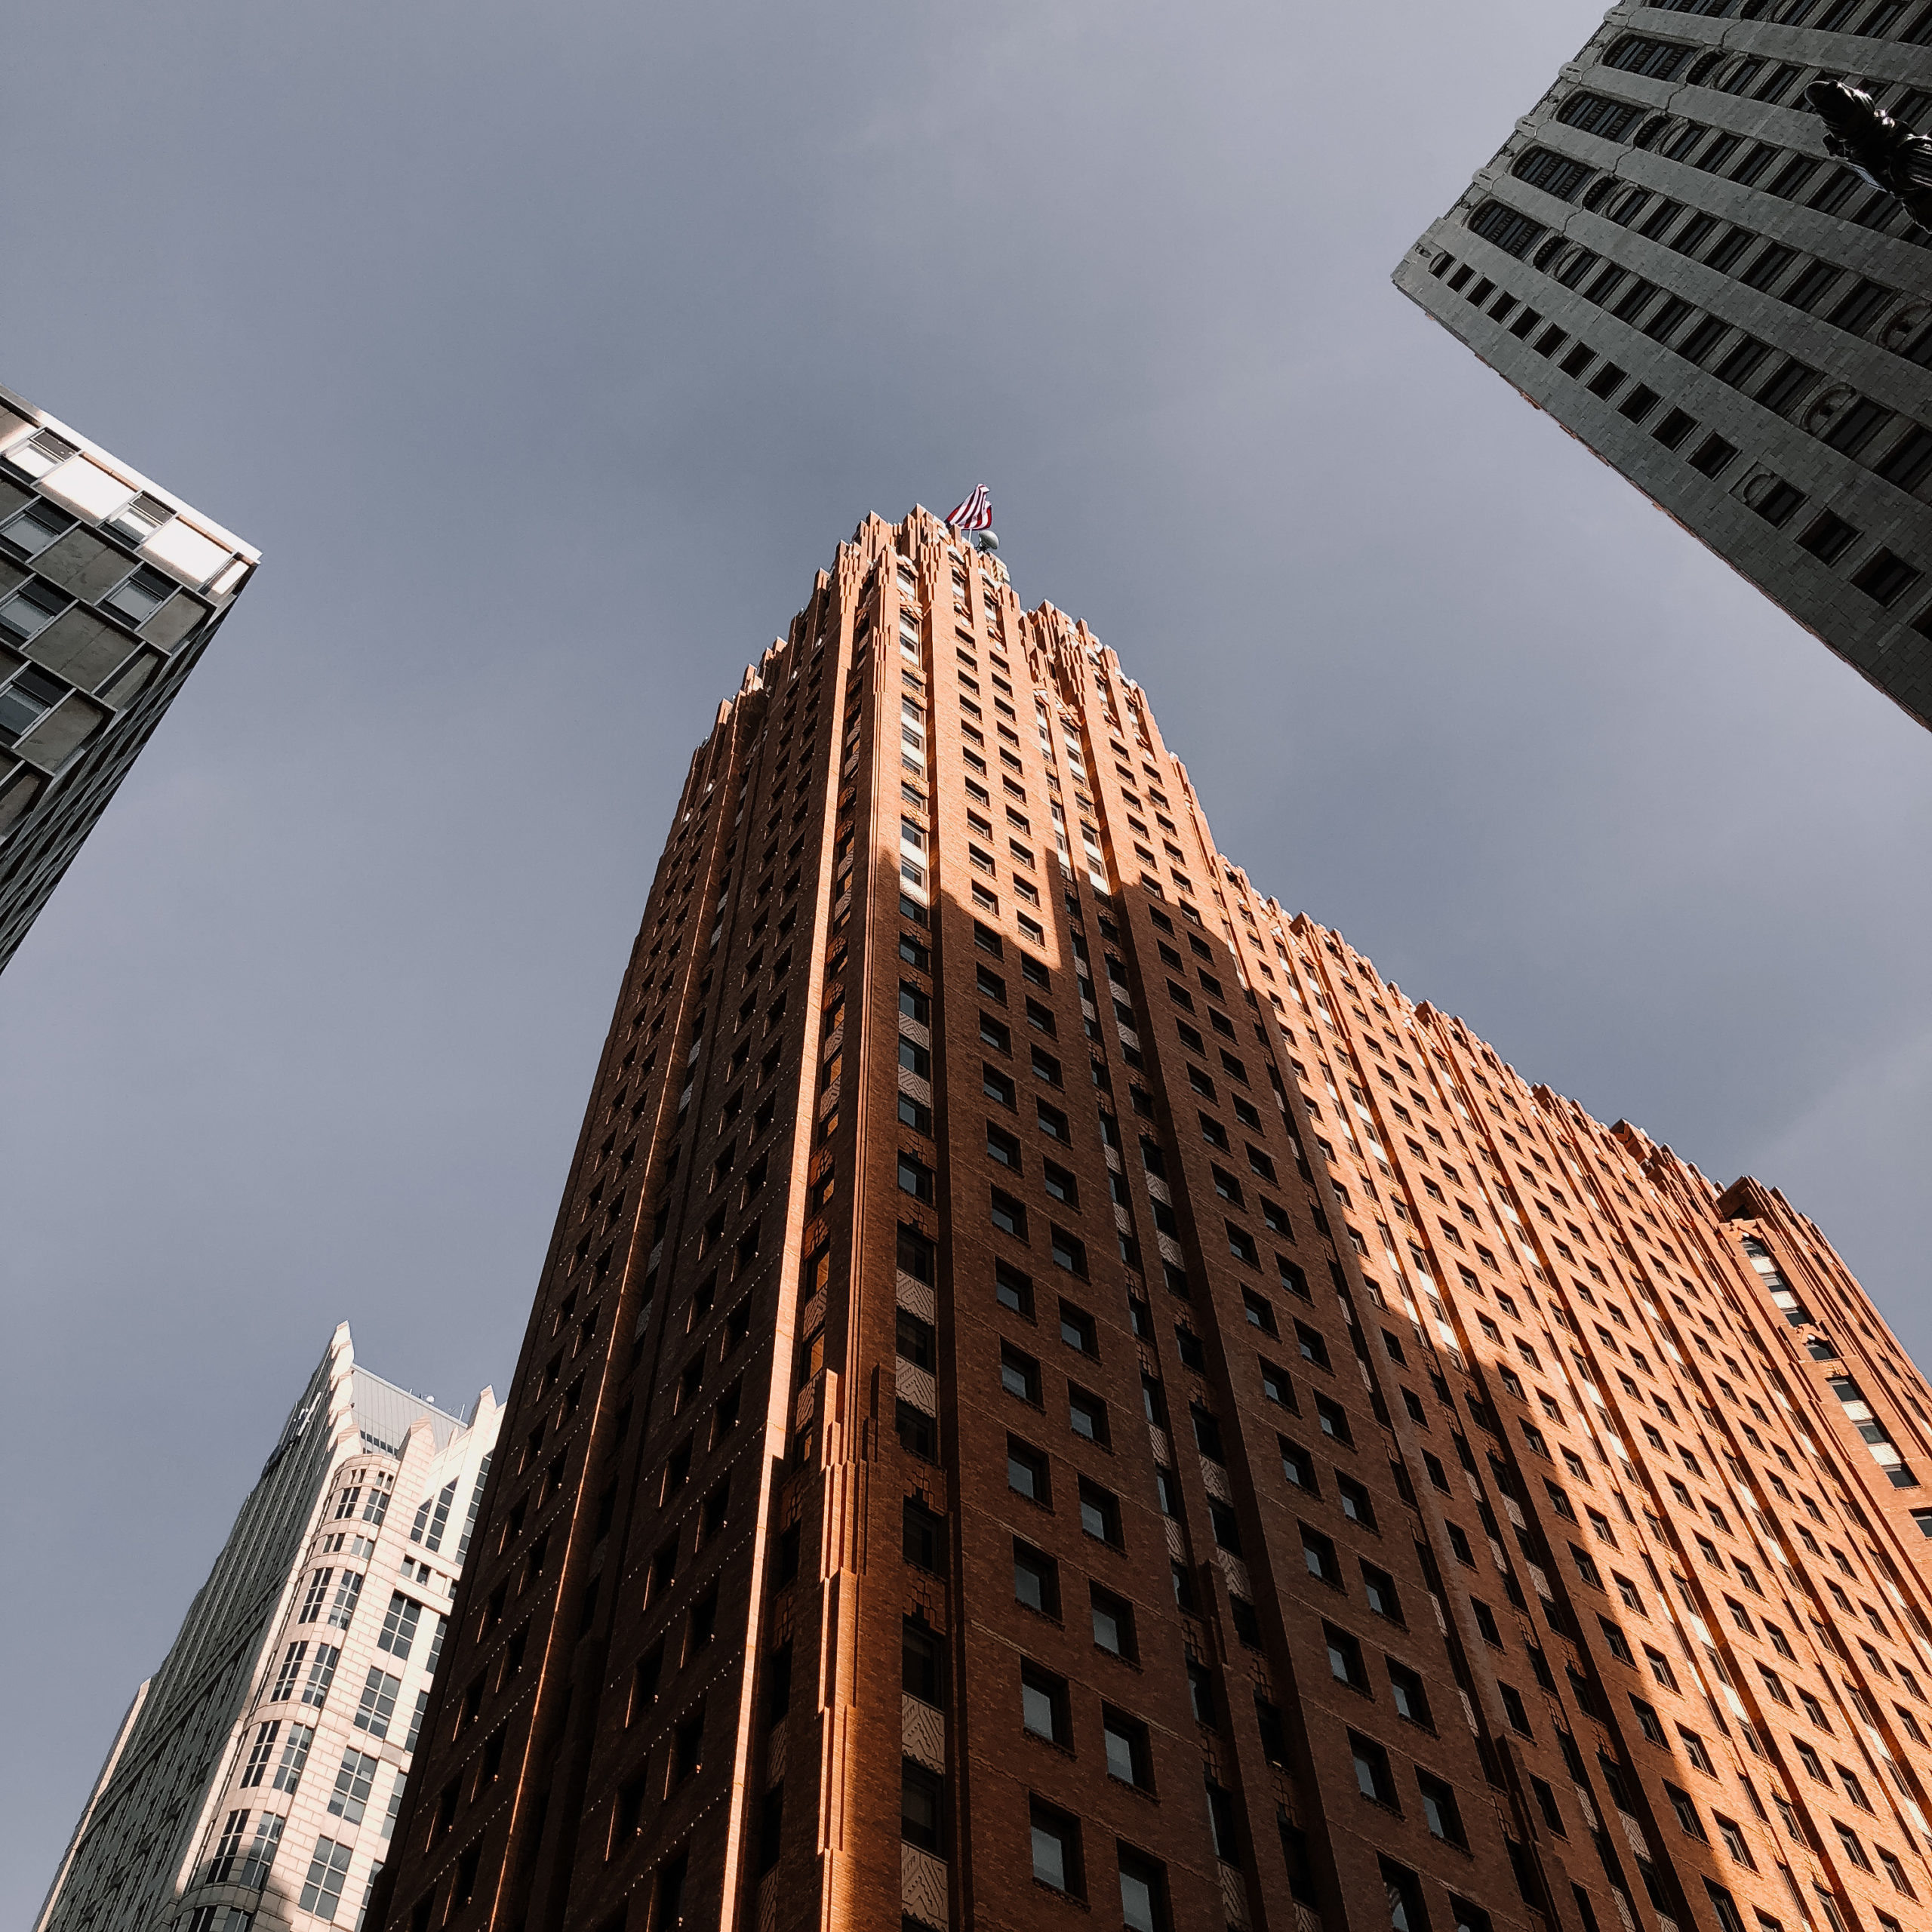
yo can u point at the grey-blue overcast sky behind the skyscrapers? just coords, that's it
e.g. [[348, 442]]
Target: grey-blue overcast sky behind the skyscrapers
[[546, 353]]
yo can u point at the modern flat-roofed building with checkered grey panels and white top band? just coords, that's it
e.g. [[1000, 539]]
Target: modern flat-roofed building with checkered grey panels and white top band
[[109, 594]]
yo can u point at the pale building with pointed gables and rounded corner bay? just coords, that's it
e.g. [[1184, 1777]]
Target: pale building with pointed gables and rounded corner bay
[[258, 1775]]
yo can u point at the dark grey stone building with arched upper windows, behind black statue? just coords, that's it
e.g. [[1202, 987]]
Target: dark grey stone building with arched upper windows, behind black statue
[[1666, 260]]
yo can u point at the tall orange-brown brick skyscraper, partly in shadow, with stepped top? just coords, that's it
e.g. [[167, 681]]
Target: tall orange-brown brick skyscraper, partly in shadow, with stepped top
[[1060, 1400]]
